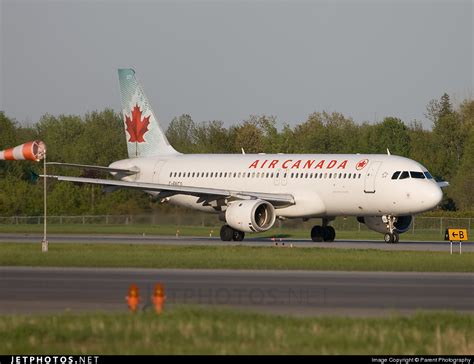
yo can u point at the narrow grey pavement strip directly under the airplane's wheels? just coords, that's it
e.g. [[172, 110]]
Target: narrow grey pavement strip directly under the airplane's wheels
[[173, 240]]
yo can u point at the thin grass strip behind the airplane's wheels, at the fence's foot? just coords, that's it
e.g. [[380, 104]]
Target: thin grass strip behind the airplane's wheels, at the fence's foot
[[203, 231]]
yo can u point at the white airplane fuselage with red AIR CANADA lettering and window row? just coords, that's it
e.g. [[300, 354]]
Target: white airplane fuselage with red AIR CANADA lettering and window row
[[321, 184]]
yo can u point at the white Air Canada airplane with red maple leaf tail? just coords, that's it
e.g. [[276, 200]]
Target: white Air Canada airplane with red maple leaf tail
[[250, 191]]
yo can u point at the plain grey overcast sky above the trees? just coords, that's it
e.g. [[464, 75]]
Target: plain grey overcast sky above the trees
[[225, 60]]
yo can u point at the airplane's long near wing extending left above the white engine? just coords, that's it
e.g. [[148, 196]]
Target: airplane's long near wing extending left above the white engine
[[206, 194]]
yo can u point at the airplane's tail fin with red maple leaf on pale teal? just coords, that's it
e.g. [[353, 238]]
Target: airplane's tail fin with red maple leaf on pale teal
[[143, 132]]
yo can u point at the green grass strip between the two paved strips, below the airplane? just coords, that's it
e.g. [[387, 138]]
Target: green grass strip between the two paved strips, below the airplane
[[231, 257]]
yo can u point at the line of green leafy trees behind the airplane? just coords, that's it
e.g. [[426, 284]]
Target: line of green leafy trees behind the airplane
[[97, 138]]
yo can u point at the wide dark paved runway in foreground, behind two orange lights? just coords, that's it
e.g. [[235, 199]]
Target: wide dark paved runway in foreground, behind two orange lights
[[32, 290]]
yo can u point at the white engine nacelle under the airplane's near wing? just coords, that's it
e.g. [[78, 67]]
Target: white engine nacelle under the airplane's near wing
[[250, 215]]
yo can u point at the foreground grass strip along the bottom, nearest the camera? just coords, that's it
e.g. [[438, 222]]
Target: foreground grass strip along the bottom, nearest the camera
[[191, 330]]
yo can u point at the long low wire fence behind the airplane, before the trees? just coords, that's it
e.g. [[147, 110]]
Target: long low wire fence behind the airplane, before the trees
[[418, 225]]
